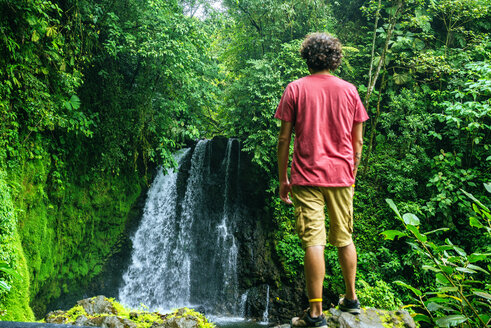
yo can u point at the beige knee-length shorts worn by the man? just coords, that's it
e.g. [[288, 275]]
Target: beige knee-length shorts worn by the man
[[310, 219]]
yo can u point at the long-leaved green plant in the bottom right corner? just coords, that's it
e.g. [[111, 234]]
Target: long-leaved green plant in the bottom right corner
[[462, 288]]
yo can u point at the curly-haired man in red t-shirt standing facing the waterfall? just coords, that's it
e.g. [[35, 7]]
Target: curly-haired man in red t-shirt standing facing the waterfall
[[327, 115]]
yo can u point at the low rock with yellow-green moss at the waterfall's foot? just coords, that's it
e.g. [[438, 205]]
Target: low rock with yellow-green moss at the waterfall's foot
[[101, 311]]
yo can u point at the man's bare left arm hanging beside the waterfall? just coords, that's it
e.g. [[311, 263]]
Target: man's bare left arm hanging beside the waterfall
[[283, 155]]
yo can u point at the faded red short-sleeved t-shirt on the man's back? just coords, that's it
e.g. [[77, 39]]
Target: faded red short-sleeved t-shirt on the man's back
[[323, 109]]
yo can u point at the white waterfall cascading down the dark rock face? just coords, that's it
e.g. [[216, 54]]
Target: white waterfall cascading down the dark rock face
[[185, 251]]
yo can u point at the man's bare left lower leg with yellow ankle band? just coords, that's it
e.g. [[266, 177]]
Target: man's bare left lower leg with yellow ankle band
[[315, 271]]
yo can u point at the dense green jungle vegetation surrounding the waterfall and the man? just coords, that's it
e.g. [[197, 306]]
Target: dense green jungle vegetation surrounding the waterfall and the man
[[94, 94]]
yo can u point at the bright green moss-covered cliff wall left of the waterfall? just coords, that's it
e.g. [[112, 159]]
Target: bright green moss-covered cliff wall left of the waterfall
[[64, 232]]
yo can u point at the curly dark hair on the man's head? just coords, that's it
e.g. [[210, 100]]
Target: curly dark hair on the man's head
[[321, 51]]
